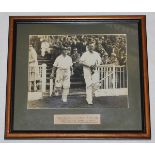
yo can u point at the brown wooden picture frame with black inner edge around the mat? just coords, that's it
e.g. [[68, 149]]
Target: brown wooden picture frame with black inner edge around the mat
[[145, 133]]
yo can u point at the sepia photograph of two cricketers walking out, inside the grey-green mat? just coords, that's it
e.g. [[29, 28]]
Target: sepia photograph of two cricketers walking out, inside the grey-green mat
[[77, 71]]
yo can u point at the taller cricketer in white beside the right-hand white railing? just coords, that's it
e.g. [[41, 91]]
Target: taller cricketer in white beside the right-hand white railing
[[89, 60]]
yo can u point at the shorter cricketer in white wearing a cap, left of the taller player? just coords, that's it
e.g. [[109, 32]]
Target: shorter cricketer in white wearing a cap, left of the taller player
[[63, 64]]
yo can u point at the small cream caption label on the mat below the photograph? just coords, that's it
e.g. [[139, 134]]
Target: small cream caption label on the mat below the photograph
[[77, 119]]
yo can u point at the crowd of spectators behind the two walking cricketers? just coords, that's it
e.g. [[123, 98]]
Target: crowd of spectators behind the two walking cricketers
[[112, 48]]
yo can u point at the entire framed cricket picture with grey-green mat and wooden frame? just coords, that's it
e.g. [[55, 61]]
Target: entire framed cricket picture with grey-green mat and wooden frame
[[77, 77]]
